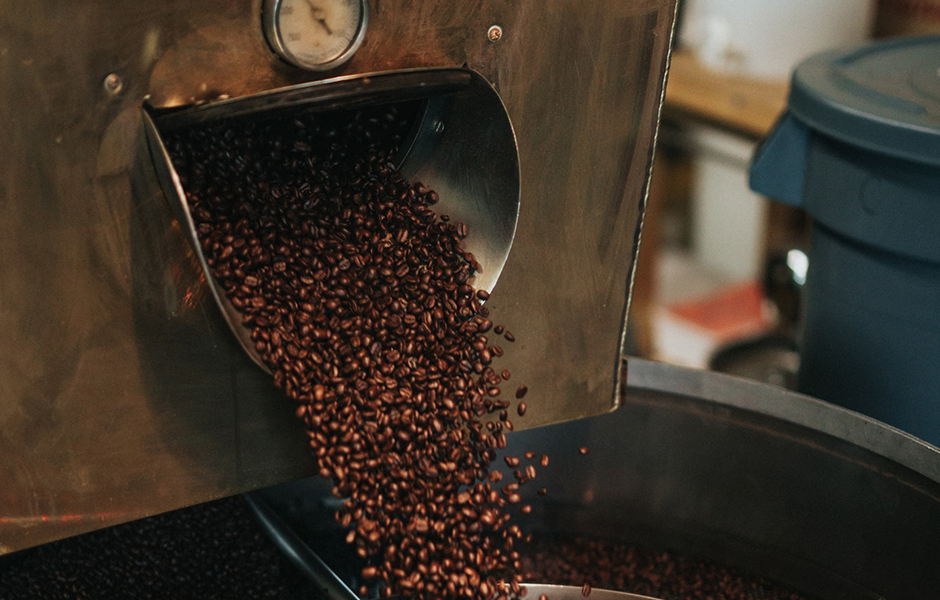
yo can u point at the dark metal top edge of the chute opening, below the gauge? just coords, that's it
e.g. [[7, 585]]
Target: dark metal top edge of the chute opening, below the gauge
[[347, 90]]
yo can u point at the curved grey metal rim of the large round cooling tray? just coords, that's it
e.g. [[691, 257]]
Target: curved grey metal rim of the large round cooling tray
[[806, 411]]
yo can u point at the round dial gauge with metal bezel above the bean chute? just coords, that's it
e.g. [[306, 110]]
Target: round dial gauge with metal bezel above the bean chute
[[318, 35]]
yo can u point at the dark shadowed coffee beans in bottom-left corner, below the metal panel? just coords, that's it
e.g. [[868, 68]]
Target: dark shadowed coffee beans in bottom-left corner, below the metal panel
[[214, 550]]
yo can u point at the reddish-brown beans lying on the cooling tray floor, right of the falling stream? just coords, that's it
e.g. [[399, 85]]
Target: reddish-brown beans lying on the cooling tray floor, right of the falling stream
[[611, 565]]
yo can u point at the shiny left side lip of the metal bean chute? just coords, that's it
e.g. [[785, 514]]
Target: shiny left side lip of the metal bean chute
[[173, 190]]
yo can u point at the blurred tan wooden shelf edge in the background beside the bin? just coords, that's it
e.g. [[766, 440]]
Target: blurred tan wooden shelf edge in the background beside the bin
[[744, 105]]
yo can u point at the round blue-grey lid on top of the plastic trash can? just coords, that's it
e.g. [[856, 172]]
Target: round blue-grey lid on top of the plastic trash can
[[883, 97]]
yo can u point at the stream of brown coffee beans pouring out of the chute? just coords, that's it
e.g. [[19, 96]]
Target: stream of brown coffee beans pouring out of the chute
[[359, 298]]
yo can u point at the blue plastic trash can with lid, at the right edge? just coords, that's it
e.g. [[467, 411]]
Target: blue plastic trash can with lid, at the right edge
[[859, 149]]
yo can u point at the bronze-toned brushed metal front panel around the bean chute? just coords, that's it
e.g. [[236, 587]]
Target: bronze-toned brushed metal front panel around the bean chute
[[122, 392]]
